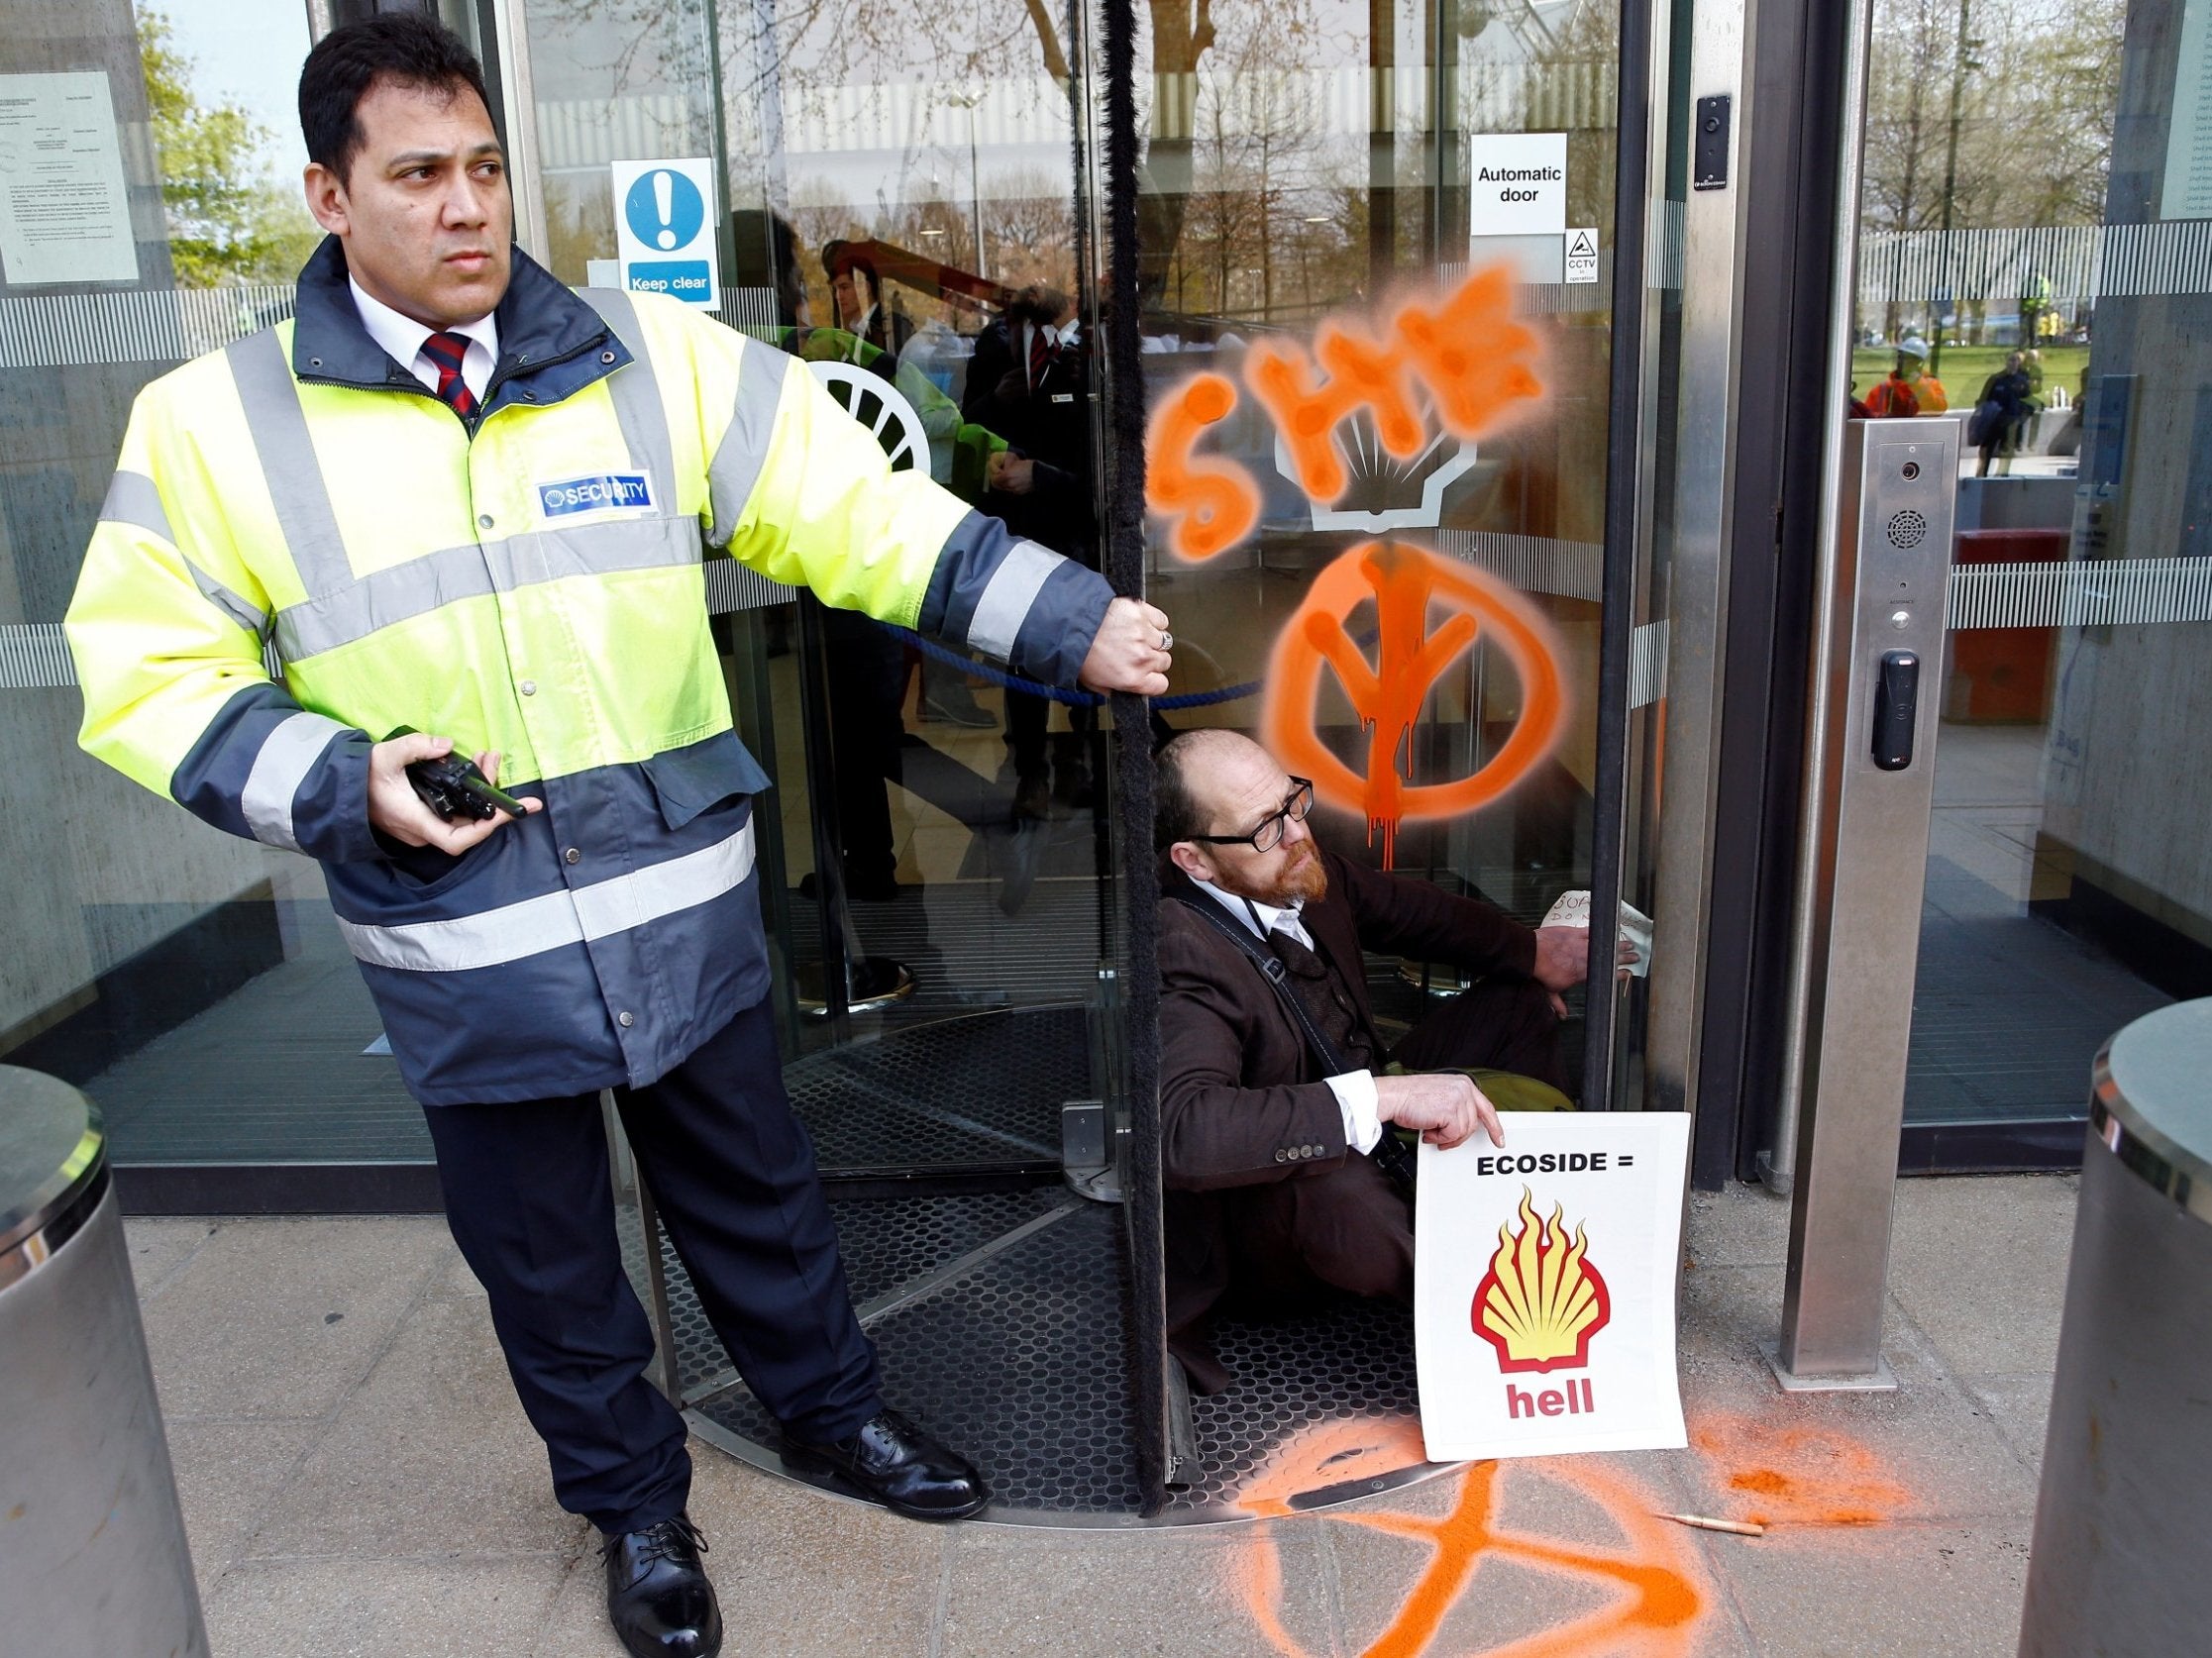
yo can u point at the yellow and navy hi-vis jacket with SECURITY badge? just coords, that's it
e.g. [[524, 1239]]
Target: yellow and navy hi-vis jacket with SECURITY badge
[[532, 585]]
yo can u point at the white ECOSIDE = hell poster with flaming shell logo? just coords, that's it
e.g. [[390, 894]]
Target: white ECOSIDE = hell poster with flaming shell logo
[[1545, 1288]]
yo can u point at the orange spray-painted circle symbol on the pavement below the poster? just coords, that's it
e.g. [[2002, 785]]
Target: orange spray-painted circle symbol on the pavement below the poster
[[1651, 1577]]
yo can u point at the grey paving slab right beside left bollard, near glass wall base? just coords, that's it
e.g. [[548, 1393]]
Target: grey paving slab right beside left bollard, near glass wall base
[[282, 1319]]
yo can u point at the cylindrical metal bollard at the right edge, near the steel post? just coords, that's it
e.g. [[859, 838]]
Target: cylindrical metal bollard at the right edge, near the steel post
[[2118, 1566]]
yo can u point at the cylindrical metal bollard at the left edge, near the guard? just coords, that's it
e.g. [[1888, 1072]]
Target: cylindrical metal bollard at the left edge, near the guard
[[92, 1540]]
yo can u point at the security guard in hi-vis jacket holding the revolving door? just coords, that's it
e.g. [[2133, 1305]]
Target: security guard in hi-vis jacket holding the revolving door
[[459, 499]]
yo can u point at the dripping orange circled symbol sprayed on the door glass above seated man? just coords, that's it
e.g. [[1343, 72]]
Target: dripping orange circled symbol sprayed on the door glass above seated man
[[1388, 695]]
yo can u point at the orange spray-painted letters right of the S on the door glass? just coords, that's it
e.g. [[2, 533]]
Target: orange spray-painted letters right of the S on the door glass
[[1470, 355]]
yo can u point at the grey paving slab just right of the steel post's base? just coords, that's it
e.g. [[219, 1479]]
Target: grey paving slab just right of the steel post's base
[[1981, 1266]]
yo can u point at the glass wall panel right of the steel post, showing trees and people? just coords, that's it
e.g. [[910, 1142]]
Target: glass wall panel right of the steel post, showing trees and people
[[2036, 264]]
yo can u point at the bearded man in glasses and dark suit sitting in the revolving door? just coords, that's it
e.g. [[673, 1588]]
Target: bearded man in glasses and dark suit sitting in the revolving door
[[1277, 1098]]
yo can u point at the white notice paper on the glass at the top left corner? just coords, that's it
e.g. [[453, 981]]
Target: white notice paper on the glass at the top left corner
[[65, 216]]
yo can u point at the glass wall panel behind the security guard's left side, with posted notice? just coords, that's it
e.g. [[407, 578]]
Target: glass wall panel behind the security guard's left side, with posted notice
[[189, 980]]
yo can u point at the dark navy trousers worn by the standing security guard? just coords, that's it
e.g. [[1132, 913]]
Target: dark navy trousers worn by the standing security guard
[[530, 1199]]
